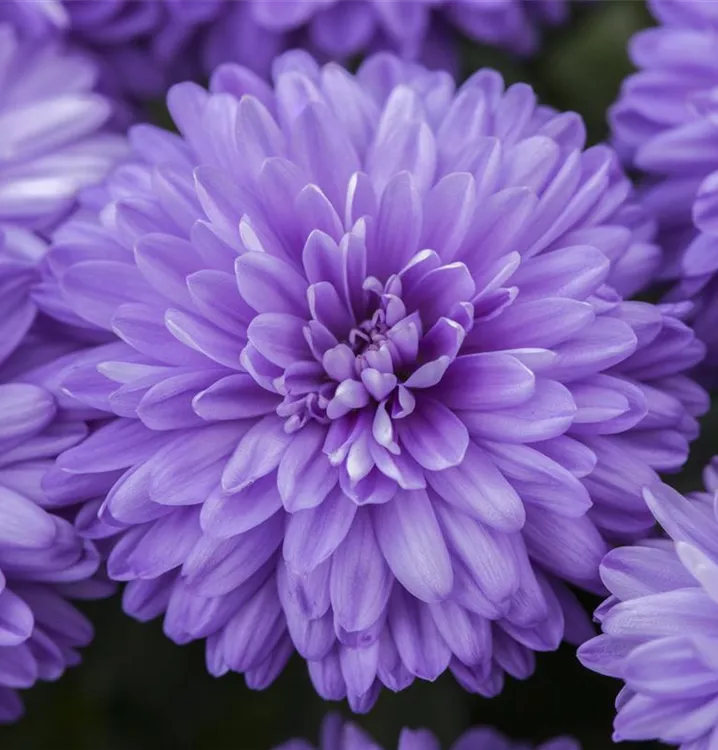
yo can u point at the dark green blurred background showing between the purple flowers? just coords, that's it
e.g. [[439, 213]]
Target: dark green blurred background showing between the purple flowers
[[137, 690]]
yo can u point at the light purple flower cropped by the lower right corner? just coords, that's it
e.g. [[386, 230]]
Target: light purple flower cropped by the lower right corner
[[660, 624]]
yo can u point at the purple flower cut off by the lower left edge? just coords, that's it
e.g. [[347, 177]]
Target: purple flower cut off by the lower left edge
[[43, 560]]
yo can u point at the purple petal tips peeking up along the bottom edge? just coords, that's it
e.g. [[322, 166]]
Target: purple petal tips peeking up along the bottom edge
[[337, 734]]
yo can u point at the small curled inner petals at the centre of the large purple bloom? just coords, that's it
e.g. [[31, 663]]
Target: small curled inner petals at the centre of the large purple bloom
[[375, 362]]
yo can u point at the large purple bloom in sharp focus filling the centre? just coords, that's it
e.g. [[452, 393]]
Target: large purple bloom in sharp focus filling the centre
[[377, 389]]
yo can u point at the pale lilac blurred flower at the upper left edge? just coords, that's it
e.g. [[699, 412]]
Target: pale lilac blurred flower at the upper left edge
[[52, 142]]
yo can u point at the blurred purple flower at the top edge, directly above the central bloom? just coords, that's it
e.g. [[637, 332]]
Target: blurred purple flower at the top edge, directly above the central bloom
[[417, 29]]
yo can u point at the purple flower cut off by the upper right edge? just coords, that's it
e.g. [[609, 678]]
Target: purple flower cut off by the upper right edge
[[666, 124]]
